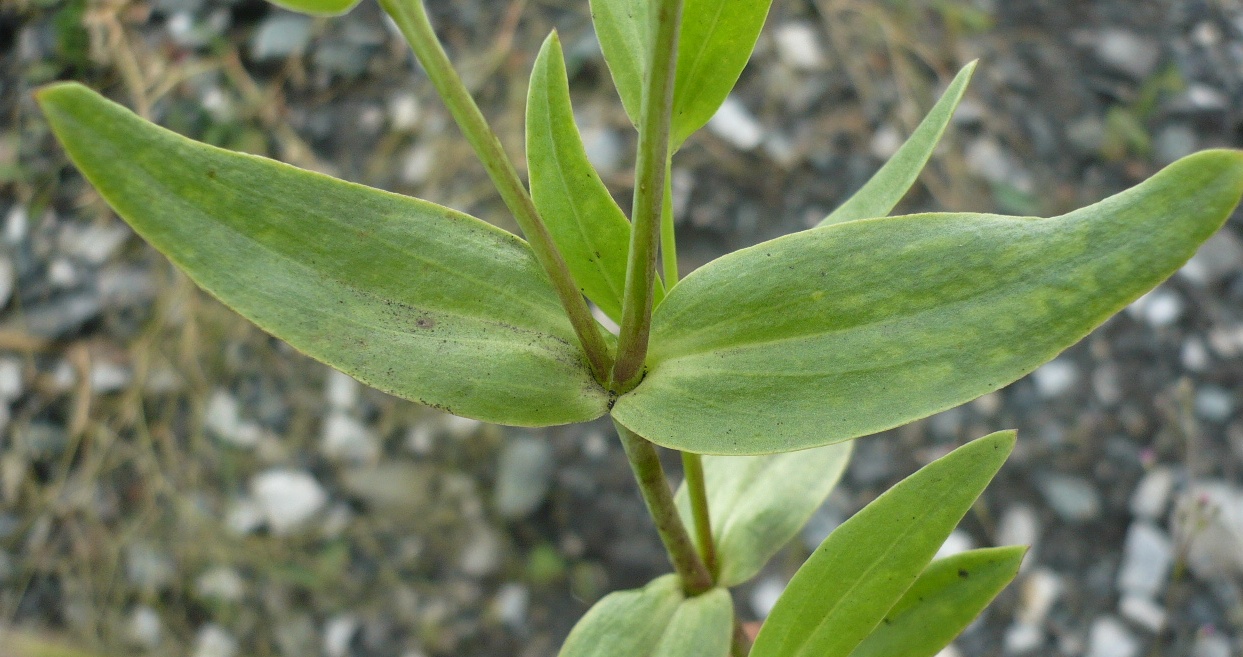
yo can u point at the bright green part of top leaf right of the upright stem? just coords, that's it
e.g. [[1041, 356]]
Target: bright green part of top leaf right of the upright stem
[[714, 48]]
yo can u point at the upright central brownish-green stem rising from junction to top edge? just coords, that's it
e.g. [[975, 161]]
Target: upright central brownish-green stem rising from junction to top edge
[[649, 176]]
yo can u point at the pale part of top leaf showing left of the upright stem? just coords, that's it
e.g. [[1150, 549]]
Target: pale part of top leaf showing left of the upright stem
[[625, 32]]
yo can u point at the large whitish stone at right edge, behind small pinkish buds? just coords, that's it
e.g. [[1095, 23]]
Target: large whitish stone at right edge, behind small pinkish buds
[[1209, 521]]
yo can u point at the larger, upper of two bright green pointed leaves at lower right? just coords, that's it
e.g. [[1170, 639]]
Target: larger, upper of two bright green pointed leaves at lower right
[[862, 571]]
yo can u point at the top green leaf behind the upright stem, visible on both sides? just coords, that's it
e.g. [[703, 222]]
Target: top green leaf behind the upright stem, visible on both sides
[[714, 47]]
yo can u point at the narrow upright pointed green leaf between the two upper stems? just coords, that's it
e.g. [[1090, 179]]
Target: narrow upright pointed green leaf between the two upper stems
[[591, 232]]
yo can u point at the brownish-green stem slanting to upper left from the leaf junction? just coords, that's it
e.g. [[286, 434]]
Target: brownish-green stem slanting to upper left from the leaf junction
[[412, 19]]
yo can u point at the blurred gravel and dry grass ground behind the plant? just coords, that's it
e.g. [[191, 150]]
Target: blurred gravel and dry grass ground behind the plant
[[176, 483]]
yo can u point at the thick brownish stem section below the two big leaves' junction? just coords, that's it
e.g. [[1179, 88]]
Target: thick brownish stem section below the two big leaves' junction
[[651, 476]]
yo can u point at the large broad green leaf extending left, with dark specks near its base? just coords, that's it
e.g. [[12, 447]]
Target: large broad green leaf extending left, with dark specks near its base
[[413, 299]]
